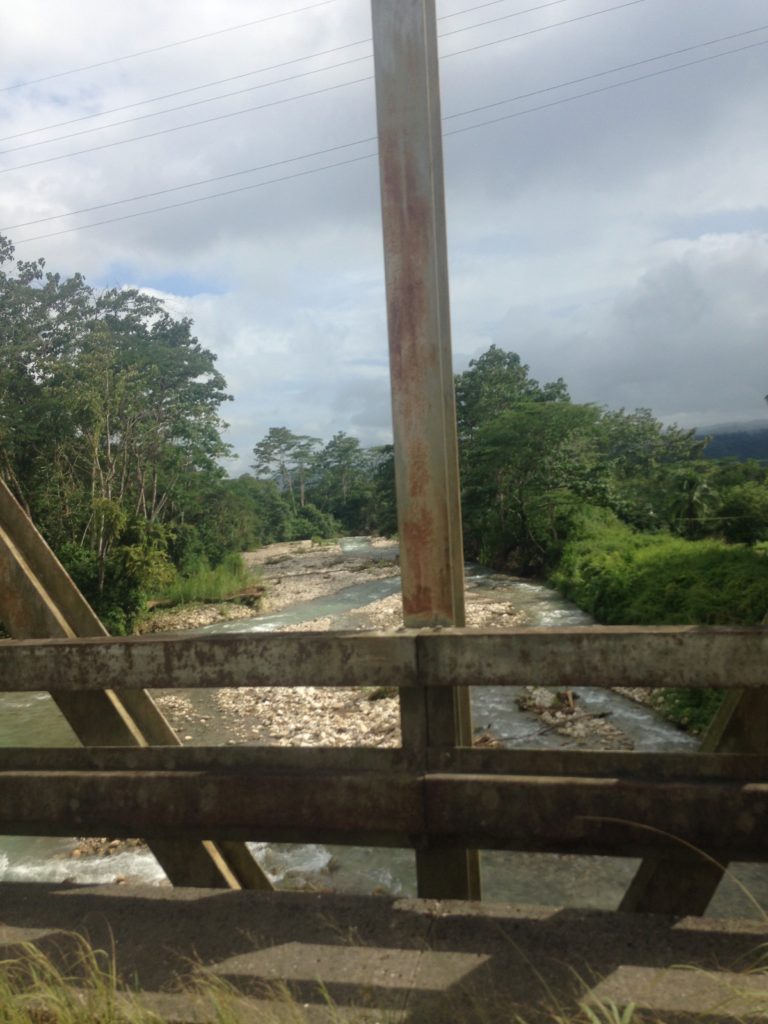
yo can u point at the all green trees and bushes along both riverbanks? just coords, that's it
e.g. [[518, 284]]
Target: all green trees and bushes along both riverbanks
[[111, 437]]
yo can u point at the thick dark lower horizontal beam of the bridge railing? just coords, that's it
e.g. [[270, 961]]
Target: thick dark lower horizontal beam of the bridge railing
[[623, 818]]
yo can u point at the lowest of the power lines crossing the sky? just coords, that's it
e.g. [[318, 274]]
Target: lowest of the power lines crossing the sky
[[456, 132]]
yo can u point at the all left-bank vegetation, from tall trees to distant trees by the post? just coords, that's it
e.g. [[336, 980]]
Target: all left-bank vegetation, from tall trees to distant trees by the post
[[111, 438]]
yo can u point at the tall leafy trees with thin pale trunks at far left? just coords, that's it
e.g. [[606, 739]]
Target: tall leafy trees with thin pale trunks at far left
[[109, 409]]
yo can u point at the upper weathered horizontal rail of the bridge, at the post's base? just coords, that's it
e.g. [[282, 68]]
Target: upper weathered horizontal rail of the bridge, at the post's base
[[675, 657]]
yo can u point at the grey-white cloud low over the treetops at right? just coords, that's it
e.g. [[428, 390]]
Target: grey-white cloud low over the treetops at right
[[691, 334]]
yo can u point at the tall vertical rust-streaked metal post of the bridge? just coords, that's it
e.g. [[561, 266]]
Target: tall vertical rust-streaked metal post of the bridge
[[421, 370]]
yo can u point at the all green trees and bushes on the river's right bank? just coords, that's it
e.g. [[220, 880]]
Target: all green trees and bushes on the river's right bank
[[626, 518]]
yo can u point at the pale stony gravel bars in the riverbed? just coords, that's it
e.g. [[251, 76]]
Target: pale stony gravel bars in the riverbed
[[284, 717]]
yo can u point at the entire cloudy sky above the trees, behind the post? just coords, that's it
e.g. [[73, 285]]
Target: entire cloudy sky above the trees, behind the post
[[618, 240]]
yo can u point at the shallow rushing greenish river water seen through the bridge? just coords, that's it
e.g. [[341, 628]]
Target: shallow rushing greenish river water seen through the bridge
[[543, 879]]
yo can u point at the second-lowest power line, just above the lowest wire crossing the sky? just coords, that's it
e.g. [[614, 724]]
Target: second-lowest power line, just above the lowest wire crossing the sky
[[449, 117]]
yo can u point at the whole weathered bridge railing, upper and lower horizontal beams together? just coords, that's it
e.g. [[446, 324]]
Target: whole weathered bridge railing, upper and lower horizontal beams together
[[421, 795]]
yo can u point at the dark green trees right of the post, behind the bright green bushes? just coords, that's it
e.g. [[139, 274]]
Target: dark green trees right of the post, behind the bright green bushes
[[532, 460]]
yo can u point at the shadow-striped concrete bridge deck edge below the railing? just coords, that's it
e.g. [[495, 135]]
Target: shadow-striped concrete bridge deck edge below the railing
[[403, 961]]
